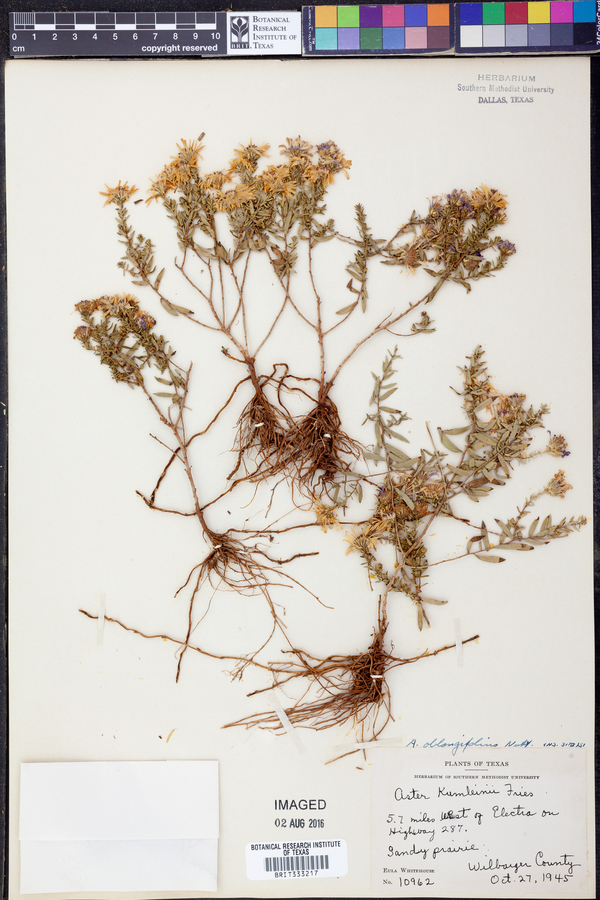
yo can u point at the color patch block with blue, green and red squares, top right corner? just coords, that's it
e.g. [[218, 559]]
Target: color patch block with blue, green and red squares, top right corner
[[552, 24]]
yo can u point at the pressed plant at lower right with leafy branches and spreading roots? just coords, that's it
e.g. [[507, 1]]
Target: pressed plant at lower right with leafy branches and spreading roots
[[413, 493]]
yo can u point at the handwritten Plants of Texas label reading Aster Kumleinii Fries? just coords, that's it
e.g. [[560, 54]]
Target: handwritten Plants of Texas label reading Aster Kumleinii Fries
[[486, 823]]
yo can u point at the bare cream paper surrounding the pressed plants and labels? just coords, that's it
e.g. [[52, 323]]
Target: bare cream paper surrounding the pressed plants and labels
[[80, 445]]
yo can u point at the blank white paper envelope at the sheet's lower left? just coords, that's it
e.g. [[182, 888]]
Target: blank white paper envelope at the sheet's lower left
[[119, 826]]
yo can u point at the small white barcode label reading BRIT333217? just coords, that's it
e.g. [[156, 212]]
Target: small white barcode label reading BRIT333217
[[269, 860]]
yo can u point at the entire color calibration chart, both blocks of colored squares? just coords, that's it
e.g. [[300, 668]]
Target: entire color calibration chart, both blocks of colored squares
[[541, 26]]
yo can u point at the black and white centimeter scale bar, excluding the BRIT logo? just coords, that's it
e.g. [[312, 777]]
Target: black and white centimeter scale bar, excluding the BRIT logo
[[118, 34]]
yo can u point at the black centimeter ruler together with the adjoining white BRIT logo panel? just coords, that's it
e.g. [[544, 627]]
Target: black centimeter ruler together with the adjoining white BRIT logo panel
[[148, 34]]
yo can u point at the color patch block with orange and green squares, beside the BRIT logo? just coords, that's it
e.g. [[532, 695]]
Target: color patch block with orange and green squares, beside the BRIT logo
[[381, 29]]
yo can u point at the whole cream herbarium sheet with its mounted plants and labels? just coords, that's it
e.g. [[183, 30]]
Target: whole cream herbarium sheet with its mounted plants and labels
[[301, 597]]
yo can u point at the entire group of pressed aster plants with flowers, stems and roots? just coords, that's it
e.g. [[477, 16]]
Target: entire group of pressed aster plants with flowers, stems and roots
[[232, 226]]
